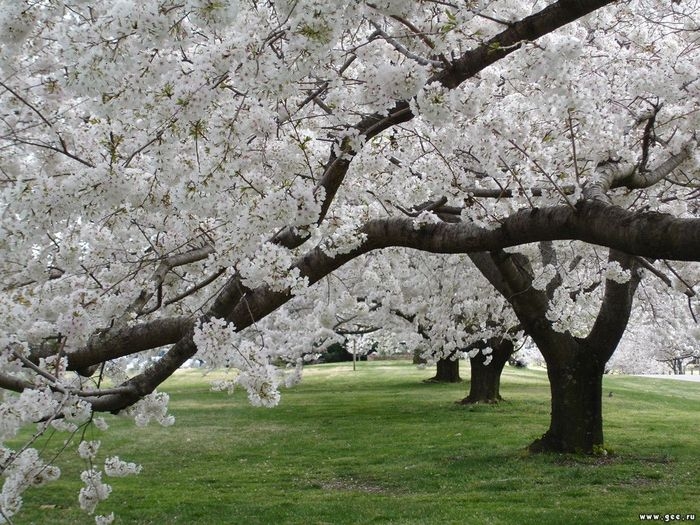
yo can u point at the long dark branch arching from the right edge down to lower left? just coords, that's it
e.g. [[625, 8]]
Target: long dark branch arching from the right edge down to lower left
[[647, 234]]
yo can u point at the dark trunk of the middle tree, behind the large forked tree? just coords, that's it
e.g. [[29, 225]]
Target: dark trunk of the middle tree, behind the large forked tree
[[485, 381]]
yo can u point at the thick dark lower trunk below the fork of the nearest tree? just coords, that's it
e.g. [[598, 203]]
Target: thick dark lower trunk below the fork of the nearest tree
[[576, 423]]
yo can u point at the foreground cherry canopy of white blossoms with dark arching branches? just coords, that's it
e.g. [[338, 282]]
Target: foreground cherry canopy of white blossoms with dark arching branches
[[173, 172]]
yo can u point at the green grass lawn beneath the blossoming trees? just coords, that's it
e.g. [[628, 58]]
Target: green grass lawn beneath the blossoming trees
[[379, 446]]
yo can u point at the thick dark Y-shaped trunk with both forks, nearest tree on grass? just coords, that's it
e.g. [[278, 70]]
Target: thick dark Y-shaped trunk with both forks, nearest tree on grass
[[574, 366]]
